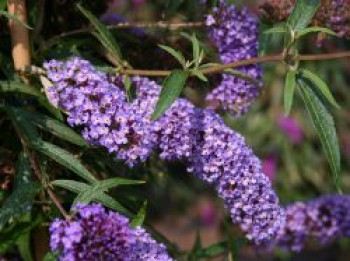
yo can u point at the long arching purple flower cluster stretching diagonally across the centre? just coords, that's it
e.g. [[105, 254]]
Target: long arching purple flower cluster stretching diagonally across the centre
[[198, 137]]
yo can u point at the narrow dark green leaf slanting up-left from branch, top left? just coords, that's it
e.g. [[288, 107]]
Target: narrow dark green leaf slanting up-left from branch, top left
[[103, 35]]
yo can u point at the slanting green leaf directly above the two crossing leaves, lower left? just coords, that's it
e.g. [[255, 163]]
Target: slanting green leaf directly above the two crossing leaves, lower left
[[66, 159]]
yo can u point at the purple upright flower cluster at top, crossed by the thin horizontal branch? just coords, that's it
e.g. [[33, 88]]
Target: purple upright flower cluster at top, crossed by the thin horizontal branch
[[235, 34]]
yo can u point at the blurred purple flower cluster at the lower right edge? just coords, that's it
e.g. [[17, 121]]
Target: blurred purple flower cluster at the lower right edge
[[322, 220]]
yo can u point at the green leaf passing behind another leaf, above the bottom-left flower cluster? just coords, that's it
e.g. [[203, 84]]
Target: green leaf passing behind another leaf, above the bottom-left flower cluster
[[80, 187]]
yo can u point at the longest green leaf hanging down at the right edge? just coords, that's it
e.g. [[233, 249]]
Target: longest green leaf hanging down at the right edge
[[325, 128]]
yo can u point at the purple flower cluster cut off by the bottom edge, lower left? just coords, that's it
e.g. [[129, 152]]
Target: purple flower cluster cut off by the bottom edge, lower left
[[98, 234]]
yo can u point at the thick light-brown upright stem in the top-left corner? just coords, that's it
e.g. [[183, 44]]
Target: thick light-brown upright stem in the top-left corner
[[19, 34]]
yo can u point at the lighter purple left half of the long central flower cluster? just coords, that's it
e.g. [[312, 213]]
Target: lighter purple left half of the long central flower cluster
[[99, 104]]
